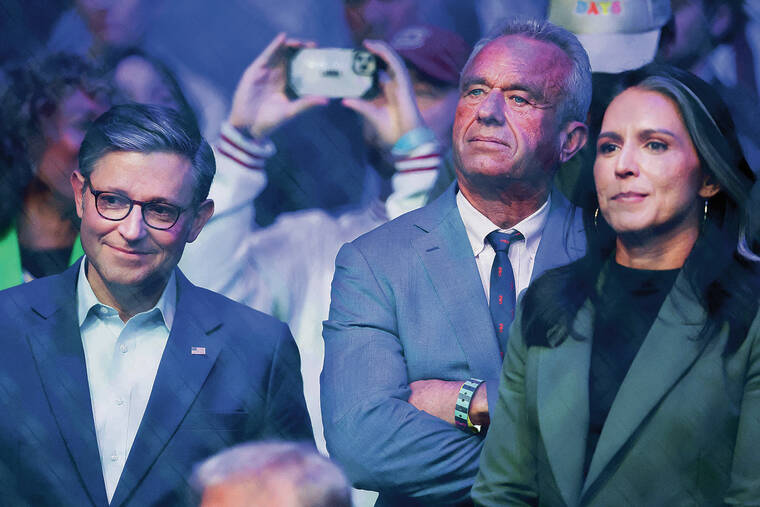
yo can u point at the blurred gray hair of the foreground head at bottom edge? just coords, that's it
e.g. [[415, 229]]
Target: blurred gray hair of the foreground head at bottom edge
[[316, 480]]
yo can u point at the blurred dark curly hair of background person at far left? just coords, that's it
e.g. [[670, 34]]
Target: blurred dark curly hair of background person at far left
[[34, 90]]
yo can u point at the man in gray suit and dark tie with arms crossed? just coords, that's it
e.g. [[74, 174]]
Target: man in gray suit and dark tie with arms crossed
[[410, 321]]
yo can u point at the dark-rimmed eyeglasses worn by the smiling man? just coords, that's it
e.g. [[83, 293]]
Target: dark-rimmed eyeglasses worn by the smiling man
[[115, 207]]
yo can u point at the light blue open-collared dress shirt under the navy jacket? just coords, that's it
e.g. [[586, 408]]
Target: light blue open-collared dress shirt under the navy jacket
[[122, 360]]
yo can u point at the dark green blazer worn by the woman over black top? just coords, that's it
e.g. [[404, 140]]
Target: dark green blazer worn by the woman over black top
[[684, 428]]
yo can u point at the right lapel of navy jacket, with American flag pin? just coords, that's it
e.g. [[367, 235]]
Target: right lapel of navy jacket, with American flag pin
[[180, 377]]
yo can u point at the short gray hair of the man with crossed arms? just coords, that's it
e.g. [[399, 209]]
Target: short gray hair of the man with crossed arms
[[576, 89]]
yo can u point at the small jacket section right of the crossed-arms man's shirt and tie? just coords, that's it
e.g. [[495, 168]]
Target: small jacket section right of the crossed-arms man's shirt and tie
[[562, 240]]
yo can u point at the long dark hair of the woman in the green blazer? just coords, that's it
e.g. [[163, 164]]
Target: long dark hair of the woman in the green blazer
[[725, 282]]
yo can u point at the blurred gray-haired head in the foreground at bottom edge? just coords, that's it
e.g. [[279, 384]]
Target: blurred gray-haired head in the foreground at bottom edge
[[260, 474]]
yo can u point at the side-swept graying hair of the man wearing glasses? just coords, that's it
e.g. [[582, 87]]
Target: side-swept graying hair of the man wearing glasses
[[148, 129]]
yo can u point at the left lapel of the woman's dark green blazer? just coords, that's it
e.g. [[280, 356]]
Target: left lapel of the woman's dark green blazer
[[563, 405]]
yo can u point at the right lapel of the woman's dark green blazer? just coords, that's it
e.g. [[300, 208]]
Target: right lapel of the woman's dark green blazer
[[668, 351]]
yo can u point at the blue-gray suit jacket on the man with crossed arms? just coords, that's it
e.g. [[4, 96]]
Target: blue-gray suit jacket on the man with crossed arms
[[408, 304]]
